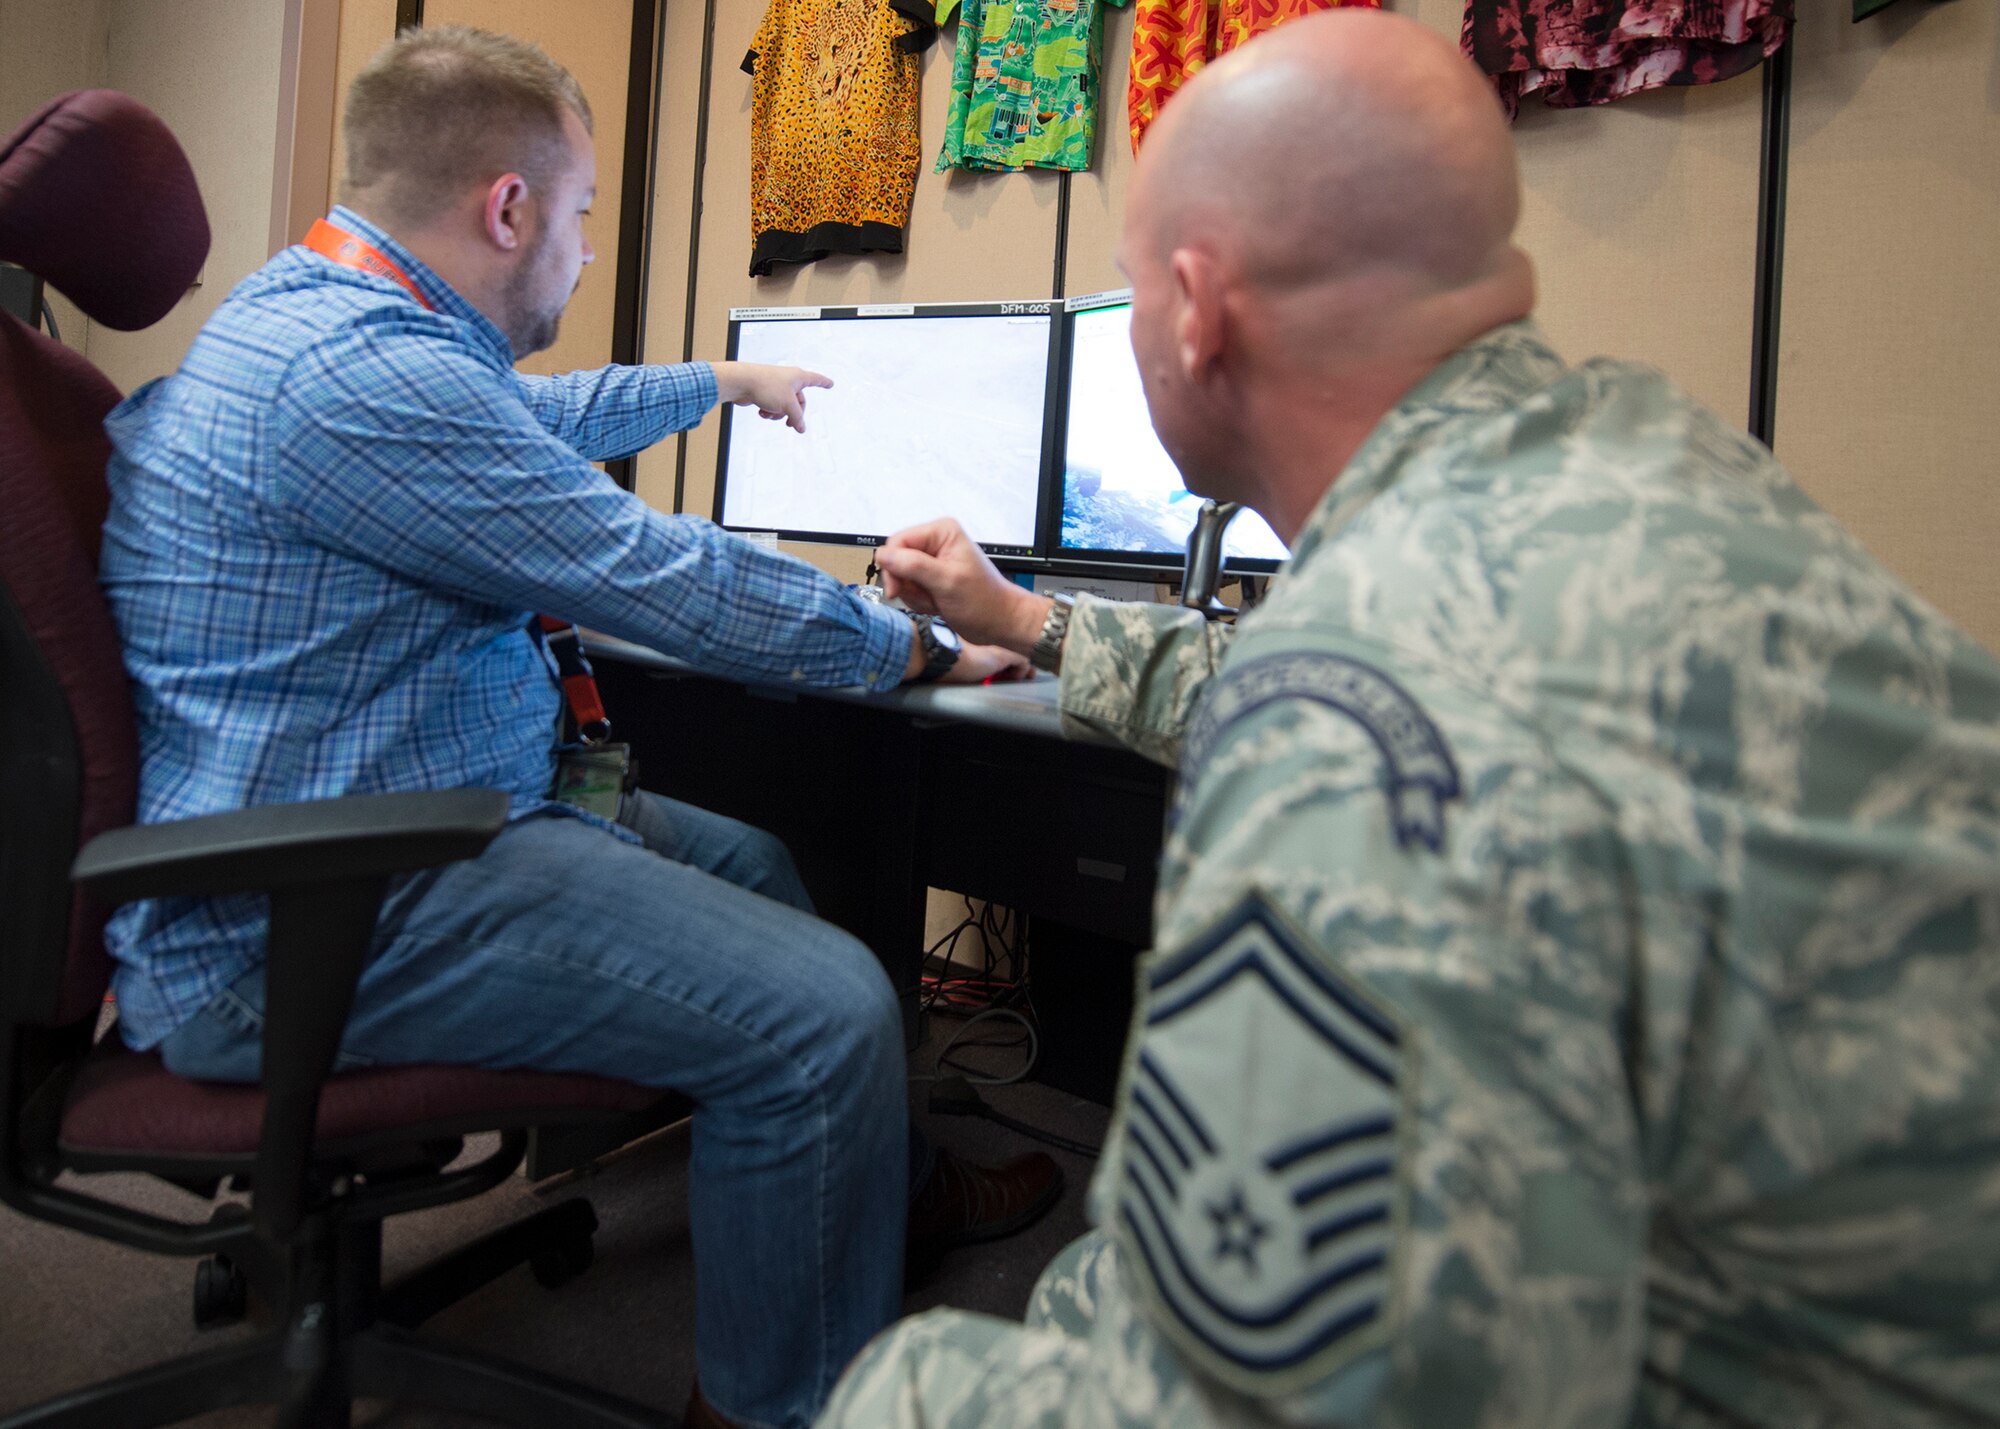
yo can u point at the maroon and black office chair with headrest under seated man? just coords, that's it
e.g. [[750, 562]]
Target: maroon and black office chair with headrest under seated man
[[99, 201]]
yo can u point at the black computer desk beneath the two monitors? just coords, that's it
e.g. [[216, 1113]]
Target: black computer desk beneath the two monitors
[[881, 798]]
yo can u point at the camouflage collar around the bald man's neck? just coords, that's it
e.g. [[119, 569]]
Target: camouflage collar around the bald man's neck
[[1489, 375]]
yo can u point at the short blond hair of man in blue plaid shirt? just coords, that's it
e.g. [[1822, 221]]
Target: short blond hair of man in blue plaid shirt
[[443, 109]]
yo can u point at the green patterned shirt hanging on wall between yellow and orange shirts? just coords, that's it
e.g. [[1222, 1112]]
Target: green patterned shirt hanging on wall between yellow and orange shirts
[[1025, 85]]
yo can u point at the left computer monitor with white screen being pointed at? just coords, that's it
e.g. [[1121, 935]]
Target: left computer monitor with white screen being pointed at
[[935, 411]]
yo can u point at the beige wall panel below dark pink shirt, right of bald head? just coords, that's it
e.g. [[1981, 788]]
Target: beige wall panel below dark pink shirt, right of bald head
[[1641, 219]]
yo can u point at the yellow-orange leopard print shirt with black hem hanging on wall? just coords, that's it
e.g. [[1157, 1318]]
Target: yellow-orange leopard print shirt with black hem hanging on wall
[[833, 129]]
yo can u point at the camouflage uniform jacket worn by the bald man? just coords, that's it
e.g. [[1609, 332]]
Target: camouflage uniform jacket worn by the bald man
[[1599, 788]]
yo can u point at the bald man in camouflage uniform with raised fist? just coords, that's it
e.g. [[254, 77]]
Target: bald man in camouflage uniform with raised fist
[[1577, 992]]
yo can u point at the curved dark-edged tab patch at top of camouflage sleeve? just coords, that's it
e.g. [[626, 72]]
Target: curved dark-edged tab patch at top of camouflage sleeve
[[1419, 770]]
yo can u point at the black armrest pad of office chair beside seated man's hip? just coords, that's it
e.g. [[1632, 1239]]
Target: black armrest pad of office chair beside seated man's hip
[[291, 846]]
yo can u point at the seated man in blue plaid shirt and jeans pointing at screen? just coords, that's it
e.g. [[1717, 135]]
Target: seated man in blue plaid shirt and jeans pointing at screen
[[329, 531]]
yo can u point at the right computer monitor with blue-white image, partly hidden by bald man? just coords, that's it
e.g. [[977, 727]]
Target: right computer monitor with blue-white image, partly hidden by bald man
[[1121, 497]]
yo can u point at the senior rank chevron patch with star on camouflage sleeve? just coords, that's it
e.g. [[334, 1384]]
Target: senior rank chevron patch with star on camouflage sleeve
[[1261, 1194]]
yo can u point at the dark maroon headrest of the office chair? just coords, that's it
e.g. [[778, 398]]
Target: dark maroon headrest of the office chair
[[99, 201]]
